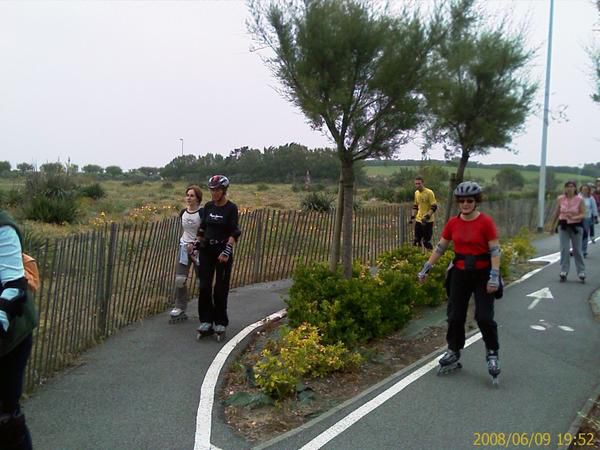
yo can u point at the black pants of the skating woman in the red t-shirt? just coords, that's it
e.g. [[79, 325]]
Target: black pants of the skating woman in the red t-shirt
[[462, 285]]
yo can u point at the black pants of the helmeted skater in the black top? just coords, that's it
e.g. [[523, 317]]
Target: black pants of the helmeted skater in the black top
[[212, 302]]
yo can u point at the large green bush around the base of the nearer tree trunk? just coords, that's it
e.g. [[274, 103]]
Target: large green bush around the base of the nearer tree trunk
[[354, 310]]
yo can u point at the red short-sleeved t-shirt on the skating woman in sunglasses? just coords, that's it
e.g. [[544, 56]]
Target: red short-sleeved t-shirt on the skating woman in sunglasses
[[471, 237]]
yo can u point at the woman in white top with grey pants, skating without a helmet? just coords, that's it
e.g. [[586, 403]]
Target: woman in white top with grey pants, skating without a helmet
[[191, 218]]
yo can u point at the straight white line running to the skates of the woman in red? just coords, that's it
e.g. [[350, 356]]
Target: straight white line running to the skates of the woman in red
[[365, 409]]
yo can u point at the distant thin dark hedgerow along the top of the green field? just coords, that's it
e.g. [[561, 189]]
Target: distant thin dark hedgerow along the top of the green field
[[590, 169]]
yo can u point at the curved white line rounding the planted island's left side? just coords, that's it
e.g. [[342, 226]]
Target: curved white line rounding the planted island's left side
[[207, 391]]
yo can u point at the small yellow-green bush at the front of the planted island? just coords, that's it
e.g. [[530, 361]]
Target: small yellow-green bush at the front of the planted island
[[297, 355]]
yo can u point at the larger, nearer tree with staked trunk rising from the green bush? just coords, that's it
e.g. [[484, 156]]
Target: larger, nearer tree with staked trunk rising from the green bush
[[355, 71]]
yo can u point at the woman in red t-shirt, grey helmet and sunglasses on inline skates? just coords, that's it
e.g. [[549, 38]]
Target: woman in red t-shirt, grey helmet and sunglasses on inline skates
[[475, 270]]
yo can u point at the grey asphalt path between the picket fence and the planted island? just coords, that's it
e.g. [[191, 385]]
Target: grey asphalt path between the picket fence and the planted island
[[140, 389]]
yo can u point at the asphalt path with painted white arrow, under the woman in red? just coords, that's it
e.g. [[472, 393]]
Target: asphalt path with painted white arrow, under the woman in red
[[550, 365]]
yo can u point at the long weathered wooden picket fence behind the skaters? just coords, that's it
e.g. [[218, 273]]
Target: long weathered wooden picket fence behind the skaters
[[98, 282]]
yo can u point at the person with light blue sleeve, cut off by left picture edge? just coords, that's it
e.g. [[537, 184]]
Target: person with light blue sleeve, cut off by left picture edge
[[17, 320]]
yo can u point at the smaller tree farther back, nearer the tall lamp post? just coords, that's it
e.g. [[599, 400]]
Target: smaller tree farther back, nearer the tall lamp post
[[479, 94]]
